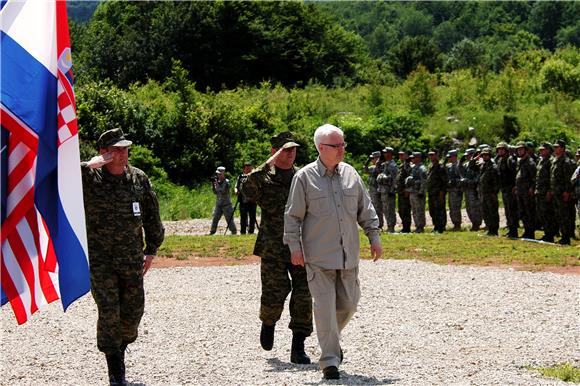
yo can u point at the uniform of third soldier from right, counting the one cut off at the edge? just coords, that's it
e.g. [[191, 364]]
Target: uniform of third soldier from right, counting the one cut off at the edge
[[544, 207]]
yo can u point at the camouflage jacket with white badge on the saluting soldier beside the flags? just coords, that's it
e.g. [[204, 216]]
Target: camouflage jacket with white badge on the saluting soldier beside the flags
[[119, 209]]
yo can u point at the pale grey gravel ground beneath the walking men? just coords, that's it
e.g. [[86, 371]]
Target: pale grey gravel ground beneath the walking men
[[417, 324]]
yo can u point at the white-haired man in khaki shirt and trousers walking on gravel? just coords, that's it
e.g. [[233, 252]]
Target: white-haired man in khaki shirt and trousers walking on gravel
[[326, 202]]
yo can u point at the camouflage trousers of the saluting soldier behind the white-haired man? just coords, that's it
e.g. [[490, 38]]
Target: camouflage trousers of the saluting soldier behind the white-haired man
[[279, 278]]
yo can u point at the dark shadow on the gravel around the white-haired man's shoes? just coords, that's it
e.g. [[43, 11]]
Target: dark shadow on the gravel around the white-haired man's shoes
[[345, 377]]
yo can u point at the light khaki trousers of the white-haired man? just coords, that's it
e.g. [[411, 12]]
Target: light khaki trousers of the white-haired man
[[336, 293]]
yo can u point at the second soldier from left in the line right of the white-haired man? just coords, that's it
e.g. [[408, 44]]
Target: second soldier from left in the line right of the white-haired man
[[387, 185]]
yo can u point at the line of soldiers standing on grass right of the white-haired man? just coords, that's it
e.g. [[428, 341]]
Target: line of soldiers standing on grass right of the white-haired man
[[539, 190]]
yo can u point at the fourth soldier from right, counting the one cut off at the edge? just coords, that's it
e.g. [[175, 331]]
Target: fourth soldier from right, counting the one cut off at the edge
[[524, 190]]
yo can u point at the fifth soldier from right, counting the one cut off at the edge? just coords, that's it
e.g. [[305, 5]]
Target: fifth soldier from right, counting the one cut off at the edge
[[506, 167]]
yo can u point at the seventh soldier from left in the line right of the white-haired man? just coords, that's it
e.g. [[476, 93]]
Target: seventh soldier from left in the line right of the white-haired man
[[469, 182]]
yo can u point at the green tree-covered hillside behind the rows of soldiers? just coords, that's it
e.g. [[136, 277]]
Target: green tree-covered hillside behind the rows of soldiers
[[199, 84]]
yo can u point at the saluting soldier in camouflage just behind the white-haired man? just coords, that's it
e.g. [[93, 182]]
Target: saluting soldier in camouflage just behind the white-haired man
[[268, 185]]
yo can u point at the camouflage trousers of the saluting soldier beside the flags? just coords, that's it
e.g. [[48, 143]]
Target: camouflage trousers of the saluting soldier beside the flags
[[118, 292]]
